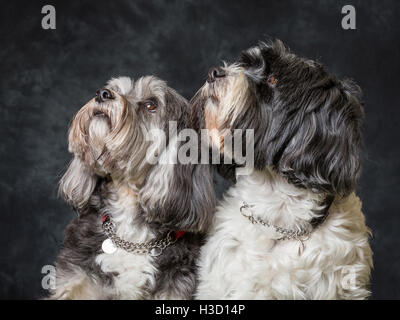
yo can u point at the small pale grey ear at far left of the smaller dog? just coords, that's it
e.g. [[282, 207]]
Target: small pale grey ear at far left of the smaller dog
[[77, 184]]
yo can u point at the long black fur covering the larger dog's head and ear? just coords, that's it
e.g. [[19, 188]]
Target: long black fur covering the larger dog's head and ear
[[308, 125]]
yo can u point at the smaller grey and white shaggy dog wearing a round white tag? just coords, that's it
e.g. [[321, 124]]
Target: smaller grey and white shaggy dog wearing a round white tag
[[140, 223]]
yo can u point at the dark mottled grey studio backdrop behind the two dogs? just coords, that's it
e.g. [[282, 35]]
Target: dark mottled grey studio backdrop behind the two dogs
[[47, 75]]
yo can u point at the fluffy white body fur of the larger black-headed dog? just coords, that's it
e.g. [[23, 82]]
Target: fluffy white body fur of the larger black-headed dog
[[244, 261]]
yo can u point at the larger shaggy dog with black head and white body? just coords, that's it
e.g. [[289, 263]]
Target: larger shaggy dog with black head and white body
[[293, 227]]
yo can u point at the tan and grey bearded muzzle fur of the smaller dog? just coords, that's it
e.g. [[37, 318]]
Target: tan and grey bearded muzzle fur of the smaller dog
[[108, 138]]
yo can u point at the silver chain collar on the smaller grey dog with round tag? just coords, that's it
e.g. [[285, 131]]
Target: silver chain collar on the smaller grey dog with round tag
[[153, 247]]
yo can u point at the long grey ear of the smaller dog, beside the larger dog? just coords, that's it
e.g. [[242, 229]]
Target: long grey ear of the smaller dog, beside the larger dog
[[180, 196]]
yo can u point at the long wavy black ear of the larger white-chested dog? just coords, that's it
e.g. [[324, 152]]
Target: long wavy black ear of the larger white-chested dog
[[317, 146]]
